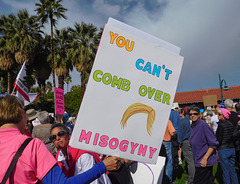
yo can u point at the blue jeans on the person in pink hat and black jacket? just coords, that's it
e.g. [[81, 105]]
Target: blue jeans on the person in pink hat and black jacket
[[227, 161]]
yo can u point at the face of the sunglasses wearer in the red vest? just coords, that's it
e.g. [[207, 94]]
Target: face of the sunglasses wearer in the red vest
[[60, 141]]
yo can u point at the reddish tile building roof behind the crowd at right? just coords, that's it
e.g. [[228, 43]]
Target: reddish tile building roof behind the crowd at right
[[197, 96]]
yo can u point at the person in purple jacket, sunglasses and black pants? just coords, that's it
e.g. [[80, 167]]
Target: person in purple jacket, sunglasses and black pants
[[204, 144]]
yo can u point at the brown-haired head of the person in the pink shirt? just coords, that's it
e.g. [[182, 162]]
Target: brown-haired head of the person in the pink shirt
[[12, 111]]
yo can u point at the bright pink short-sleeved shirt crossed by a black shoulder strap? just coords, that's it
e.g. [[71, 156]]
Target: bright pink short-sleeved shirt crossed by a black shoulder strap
[[34, 163]]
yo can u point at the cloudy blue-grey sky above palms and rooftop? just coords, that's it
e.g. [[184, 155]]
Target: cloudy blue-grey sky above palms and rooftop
[[207, 31]]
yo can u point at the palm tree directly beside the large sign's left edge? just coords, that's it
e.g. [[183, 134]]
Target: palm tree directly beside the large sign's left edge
[[83, 50]]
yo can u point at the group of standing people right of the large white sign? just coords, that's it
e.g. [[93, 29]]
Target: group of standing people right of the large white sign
[[204, 139]]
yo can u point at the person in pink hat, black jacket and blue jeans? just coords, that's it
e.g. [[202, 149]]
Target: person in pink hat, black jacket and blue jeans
[[226, 149]]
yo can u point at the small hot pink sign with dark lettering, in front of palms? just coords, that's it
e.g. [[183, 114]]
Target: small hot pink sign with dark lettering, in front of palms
[[59, 101]]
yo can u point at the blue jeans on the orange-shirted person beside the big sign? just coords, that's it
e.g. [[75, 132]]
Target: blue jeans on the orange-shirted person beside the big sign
[[169, 165]]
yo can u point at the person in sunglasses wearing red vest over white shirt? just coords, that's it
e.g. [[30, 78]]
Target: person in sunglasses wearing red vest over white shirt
[[73, 161]]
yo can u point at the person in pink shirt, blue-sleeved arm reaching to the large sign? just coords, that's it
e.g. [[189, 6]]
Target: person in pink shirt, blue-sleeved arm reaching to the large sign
[[36, 162]]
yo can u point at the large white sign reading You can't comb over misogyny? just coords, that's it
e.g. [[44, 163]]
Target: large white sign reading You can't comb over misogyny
[[128, 98]]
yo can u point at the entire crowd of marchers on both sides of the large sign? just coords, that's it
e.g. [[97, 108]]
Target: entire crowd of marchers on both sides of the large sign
[[202, 140]]
